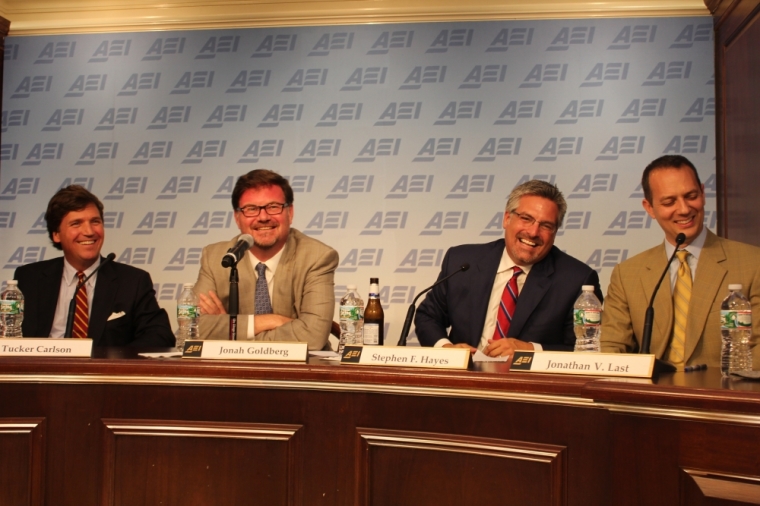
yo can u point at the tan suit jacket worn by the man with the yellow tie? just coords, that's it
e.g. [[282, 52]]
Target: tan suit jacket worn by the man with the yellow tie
[[721, 262]]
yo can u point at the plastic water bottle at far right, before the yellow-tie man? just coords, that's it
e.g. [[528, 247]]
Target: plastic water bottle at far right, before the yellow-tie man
[[735, 332]]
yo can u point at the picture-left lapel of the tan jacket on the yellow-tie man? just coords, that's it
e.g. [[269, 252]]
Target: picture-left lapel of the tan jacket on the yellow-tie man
[[663, 302]]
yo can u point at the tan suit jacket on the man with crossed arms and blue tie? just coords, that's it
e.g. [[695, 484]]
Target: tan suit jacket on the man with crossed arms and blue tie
[[303, 290]]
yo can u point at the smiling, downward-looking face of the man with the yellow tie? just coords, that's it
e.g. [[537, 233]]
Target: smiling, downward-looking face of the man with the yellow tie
[[678, 202]]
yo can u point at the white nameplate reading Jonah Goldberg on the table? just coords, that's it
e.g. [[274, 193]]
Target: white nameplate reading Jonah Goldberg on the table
[[247, 350]]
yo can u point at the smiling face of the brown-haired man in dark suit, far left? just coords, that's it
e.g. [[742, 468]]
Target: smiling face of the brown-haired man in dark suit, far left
[[81, 236]]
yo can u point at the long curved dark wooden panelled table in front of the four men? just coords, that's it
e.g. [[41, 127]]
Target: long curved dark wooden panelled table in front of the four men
[[123, 430]]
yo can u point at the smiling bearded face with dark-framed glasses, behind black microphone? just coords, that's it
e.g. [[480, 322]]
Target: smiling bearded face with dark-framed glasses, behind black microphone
[[269, 232]]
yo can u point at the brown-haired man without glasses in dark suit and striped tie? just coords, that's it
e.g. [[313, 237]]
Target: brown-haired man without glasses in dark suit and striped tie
[[121, 303]]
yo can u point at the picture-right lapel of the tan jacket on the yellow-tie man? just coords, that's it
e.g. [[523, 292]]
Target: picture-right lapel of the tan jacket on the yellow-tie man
[[708, 279]]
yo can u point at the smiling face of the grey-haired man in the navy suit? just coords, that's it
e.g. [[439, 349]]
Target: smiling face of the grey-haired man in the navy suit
[[528, 244]]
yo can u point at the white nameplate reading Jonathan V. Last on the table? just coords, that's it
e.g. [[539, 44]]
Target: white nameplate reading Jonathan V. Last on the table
[[587, 364]]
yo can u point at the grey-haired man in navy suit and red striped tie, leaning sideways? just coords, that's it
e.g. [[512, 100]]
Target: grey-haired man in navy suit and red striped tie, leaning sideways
[[547, 281]]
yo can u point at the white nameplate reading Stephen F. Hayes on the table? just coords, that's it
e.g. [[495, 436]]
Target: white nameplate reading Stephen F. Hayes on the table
[[402, 356]]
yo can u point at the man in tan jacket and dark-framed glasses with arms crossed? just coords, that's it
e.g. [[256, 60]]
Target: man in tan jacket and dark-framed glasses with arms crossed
[[299, 271]]
